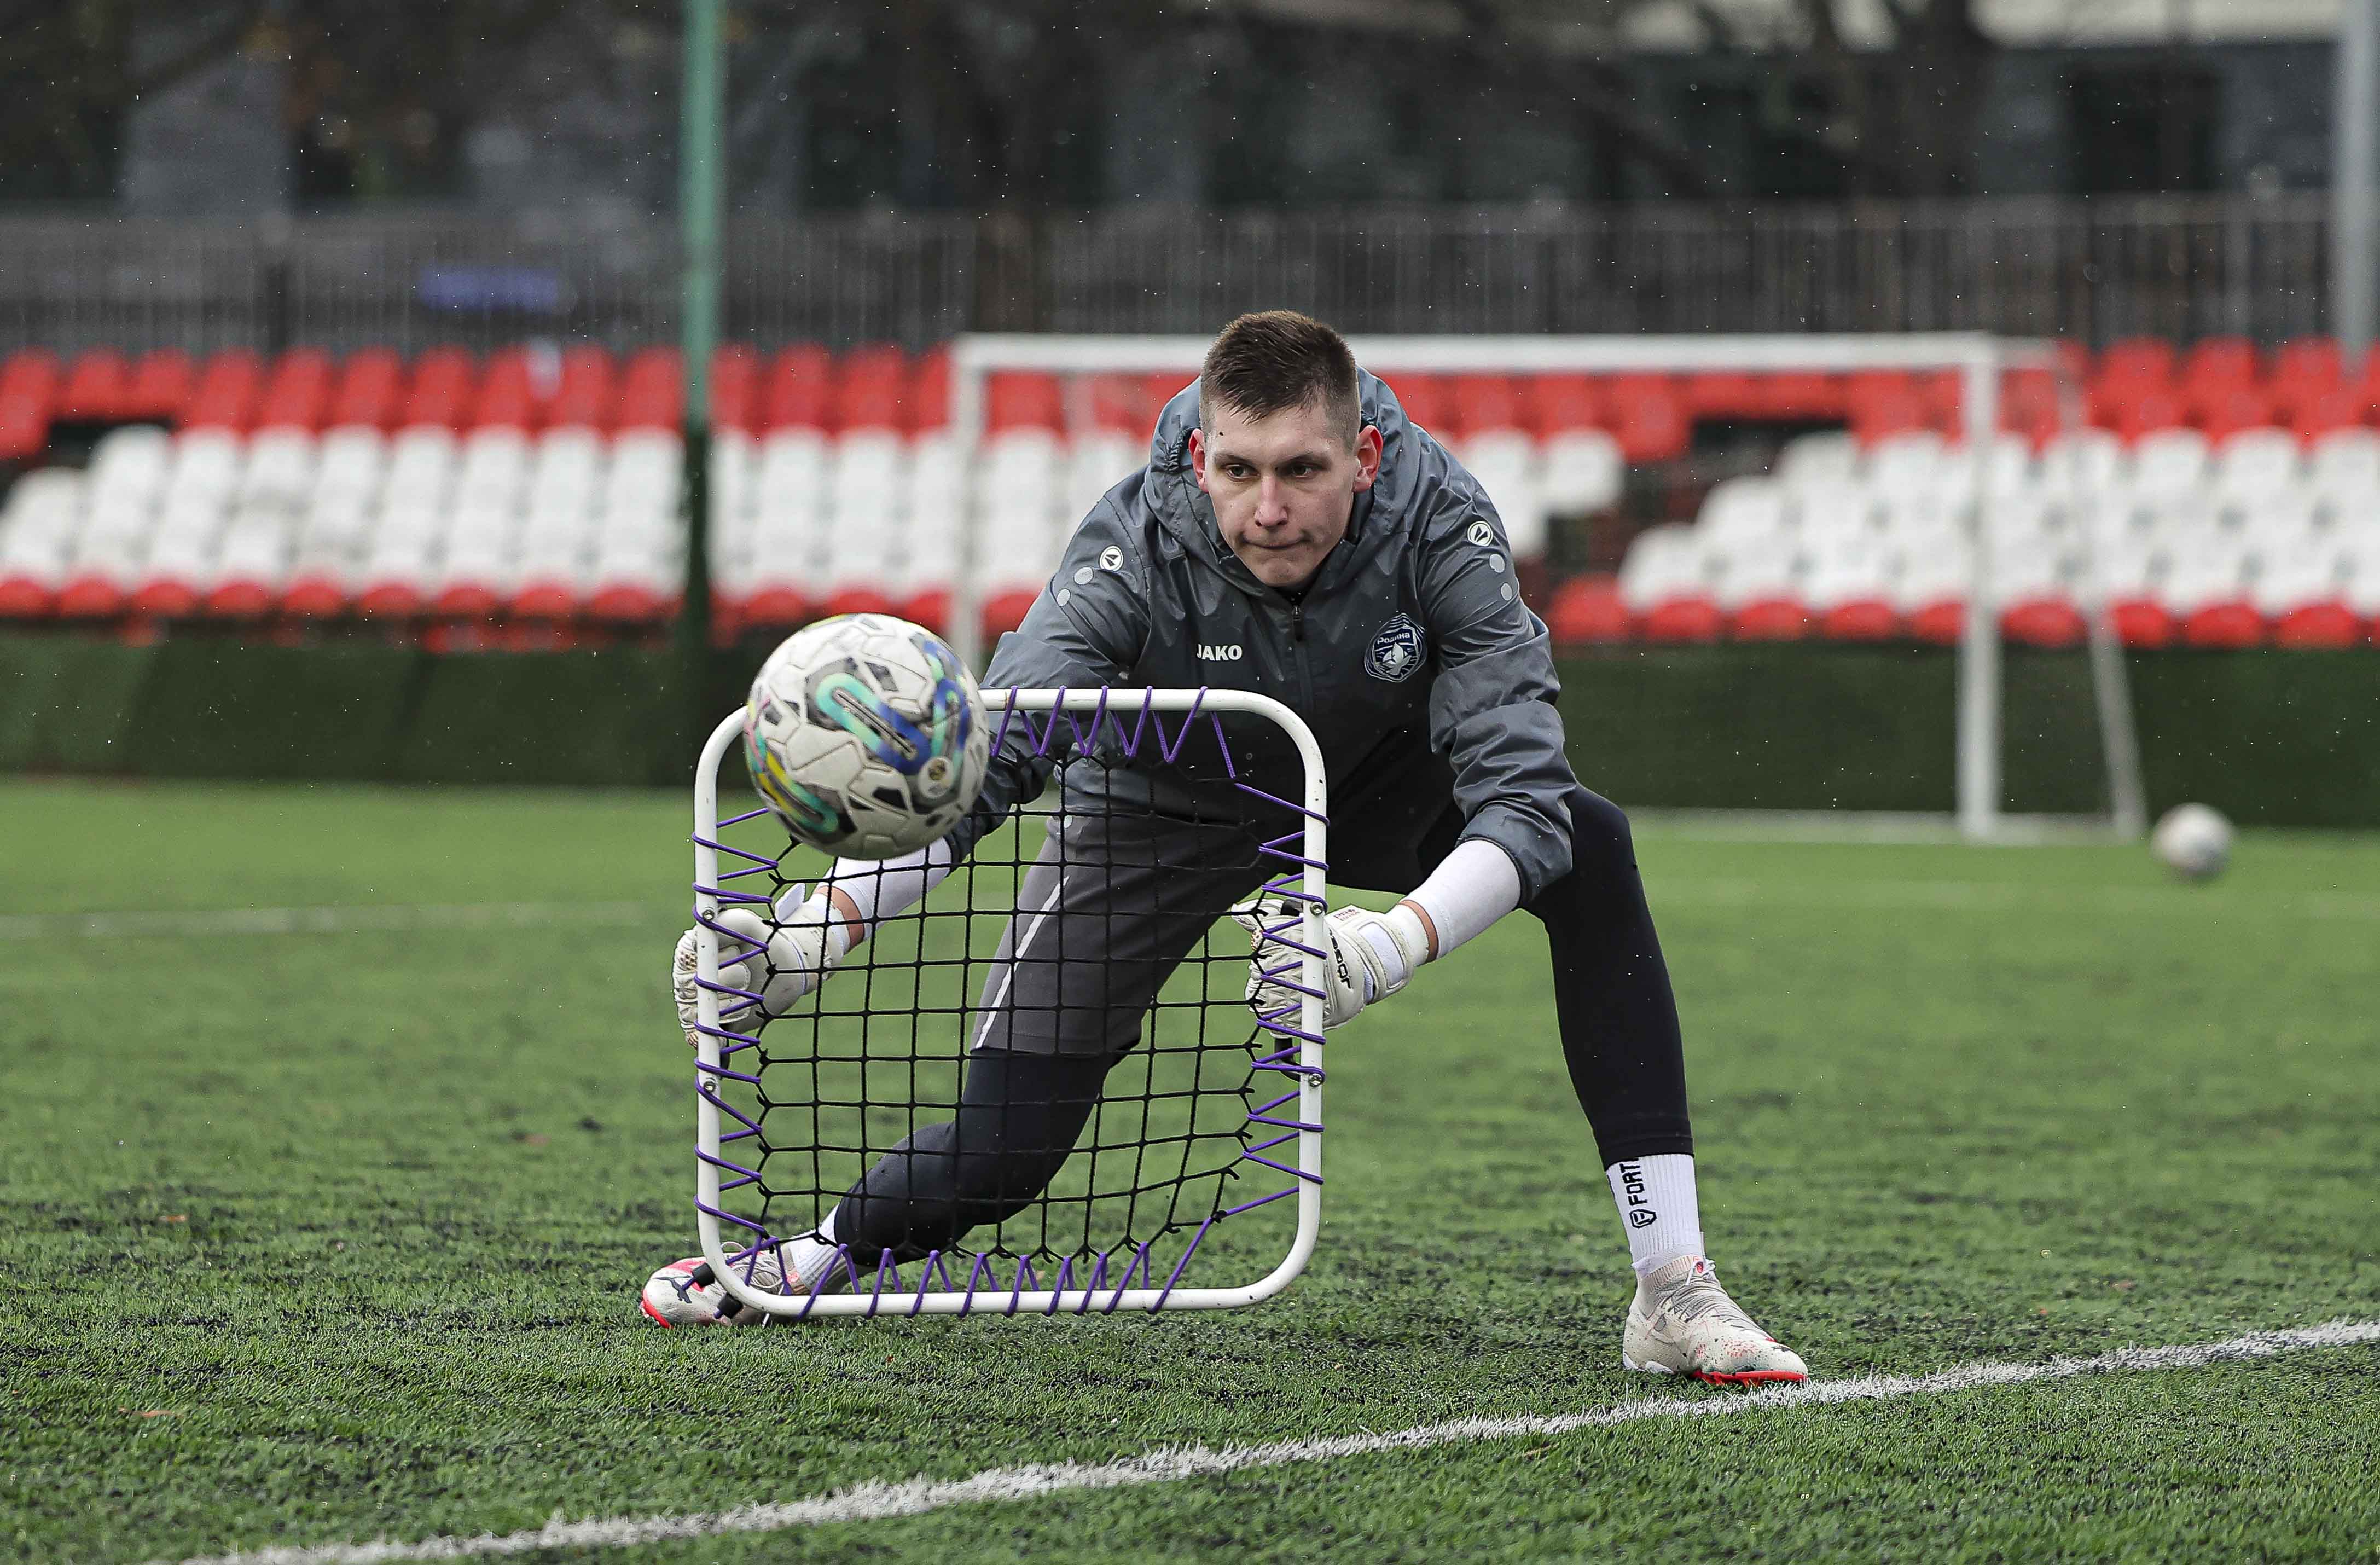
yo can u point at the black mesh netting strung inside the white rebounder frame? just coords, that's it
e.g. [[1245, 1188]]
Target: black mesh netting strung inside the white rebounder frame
[[1198, 1114]]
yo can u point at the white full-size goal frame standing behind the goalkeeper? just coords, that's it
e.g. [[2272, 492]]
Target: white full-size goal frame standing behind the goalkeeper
[[1974, 356]]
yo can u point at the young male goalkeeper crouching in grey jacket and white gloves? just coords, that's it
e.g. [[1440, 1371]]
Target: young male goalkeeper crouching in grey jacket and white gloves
[[1358, 573]]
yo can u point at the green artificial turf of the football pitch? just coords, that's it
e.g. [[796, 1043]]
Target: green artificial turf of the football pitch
[[337, 1237]]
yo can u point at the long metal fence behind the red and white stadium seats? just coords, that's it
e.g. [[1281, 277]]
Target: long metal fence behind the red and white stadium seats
[[2088, 270]]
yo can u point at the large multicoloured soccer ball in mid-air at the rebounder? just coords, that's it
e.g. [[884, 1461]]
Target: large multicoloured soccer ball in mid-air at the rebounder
[[868, 737]]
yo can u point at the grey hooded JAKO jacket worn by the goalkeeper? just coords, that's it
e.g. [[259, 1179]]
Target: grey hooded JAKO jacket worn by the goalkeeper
[[1413, 659]]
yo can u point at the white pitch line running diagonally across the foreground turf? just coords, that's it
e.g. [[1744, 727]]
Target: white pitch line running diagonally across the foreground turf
[[922, 1495]]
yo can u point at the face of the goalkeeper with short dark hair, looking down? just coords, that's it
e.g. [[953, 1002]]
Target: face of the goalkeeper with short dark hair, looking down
[[1284, 485]]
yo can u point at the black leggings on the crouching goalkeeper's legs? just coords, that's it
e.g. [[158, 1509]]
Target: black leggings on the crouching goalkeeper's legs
[[1022, 1114]]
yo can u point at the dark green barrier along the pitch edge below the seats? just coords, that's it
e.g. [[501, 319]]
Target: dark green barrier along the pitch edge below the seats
[[2288, 740]]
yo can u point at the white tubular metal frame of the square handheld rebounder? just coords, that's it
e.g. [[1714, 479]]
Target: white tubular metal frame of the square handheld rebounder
[[894, 1299]]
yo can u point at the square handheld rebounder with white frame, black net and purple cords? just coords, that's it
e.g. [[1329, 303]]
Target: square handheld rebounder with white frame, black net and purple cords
[[1210, 1123]]
